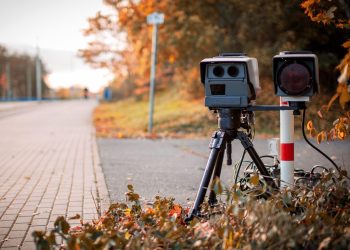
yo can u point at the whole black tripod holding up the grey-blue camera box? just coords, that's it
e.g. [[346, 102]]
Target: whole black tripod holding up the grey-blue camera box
[[229, 121]]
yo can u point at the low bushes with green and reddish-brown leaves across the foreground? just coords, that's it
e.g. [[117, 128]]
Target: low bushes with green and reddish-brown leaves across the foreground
[[299, 218]]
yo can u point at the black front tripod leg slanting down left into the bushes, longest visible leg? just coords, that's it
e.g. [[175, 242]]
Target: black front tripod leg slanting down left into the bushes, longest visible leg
[[216, 143]]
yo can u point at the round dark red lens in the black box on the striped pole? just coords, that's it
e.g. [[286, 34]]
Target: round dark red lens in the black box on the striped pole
[[295, 79]]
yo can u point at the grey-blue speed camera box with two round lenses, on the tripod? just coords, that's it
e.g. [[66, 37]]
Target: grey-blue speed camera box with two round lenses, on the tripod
[[231, 80]]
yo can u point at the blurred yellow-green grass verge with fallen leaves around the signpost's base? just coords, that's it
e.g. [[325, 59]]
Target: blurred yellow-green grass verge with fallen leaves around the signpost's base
[[173, 117]]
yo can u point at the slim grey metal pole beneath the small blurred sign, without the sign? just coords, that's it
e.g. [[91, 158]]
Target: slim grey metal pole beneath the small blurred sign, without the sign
[[152, 77]]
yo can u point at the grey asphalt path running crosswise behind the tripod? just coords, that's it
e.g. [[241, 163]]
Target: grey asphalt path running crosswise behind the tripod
[[174, 167]]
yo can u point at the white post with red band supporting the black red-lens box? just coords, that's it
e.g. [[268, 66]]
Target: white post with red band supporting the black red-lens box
[[286, 146]]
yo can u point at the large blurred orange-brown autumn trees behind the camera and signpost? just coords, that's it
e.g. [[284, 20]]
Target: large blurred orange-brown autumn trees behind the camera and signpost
[[121, 41]]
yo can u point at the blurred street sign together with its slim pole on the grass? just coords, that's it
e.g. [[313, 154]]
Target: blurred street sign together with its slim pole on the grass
[[155, 18]]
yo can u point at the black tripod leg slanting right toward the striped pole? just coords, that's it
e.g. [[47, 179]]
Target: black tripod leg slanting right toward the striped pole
[[247, 144]]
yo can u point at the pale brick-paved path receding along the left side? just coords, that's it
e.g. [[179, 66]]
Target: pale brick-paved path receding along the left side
[[49, 166]]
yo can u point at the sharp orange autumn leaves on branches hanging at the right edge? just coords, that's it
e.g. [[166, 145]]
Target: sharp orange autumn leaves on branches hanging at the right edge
[[333, 14]]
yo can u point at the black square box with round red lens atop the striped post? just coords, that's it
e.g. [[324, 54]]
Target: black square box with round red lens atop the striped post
[[295, 74]]
